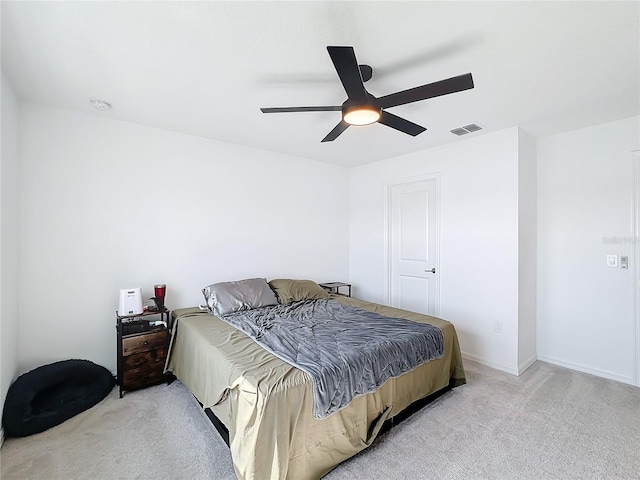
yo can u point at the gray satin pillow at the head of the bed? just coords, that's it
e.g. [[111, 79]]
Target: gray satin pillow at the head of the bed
[[227, 297]]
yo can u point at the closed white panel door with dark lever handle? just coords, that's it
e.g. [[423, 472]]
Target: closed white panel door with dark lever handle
[[413, 246]]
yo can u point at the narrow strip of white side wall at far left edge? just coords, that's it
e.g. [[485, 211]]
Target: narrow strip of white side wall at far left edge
[[8, 239]]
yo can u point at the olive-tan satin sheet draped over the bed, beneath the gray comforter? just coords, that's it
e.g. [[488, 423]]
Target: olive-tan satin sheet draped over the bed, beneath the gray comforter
[[266, 404]]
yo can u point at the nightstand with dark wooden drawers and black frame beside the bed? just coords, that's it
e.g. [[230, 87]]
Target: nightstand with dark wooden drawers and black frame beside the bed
[[142, 350]]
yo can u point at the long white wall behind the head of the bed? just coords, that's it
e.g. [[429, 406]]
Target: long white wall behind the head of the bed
[[106, 205]]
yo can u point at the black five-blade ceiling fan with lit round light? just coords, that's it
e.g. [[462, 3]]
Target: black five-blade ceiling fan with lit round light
[[362, 108]]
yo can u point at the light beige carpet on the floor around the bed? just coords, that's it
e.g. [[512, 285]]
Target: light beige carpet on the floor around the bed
[[549, 423]]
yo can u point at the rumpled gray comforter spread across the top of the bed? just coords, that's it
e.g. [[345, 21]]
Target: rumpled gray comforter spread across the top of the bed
[[347, 351]]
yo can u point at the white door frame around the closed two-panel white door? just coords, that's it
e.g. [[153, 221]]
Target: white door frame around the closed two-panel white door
[[388, 186]]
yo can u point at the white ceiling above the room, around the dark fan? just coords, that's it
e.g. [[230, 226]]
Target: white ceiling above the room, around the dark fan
[[205, 68]]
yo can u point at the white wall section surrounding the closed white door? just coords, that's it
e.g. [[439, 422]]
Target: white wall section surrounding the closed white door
[[479, 238]]
